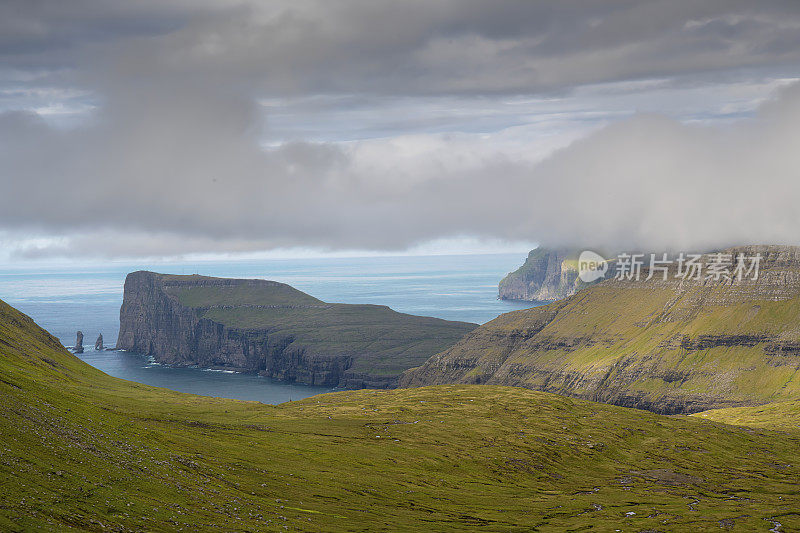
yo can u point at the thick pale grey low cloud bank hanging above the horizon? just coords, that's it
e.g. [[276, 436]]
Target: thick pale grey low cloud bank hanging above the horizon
[[161, 168]]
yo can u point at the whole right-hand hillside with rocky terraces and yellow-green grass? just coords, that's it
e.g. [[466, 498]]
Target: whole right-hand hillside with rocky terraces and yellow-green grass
[[671, 346]]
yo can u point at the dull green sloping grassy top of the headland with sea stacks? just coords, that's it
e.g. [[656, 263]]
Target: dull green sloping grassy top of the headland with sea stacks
[[387, 342]]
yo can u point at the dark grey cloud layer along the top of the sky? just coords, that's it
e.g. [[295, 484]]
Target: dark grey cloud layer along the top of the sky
[[398, 47]]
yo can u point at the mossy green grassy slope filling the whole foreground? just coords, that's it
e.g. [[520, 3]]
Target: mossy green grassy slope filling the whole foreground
[[81, 449]]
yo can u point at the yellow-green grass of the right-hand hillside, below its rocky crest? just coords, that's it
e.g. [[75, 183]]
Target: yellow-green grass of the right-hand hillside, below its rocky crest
[[629, 338]]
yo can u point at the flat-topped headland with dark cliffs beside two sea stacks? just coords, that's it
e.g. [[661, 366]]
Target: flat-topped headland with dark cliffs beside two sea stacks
[[273, 329]]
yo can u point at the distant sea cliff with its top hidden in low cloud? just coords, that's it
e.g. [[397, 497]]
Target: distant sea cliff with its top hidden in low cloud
[[547, 275]]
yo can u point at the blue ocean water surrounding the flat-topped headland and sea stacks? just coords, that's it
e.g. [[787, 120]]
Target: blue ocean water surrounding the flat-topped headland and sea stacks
[[67, 299]]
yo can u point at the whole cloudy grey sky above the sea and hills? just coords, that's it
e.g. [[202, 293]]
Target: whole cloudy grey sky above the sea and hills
[[208, 128]]
